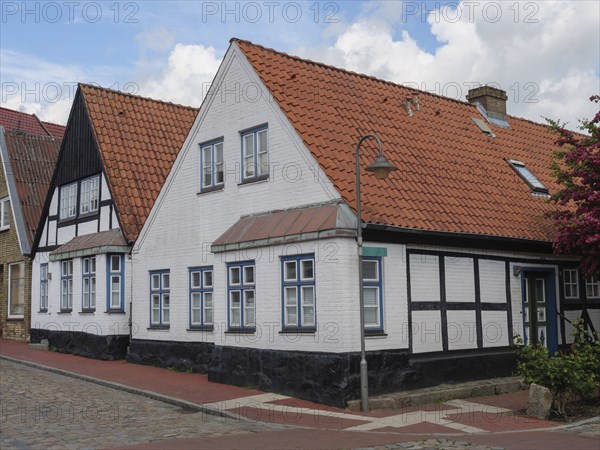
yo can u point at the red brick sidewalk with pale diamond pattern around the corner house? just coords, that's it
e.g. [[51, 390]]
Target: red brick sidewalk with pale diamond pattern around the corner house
[[477, 420]]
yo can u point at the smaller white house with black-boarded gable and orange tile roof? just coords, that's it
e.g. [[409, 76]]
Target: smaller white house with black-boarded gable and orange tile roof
[[116, 153]]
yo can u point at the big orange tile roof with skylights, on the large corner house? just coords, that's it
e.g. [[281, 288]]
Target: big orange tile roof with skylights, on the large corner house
[[451, 176]]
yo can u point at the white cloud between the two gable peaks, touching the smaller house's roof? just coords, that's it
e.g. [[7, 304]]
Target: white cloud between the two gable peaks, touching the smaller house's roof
[[186, 77]]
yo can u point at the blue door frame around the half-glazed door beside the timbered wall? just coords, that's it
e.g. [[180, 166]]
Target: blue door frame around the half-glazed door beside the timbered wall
[[551, 304]]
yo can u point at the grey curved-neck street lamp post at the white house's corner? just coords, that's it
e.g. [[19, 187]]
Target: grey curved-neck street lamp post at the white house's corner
[[381, 168]]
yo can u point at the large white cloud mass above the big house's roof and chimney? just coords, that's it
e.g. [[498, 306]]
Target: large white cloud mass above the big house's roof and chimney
[[544, 54]]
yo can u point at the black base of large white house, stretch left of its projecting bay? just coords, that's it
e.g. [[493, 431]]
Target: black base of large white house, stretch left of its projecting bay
[[182, 356]]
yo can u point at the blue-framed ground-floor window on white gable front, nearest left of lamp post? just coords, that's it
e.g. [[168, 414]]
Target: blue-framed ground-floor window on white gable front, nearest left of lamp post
[[299, 298]]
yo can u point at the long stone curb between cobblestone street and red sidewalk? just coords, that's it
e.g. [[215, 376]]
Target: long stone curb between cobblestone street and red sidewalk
[[132, 390]]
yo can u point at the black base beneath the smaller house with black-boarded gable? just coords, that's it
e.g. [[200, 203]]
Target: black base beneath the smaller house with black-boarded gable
[[110, 347]]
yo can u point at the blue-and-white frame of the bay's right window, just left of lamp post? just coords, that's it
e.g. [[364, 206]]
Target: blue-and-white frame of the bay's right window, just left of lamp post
[[298, 283]]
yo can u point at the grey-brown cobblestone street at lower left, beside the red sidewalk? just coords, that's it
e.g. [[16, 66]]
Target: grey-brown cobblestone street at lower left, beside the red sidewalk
[[41, 409]]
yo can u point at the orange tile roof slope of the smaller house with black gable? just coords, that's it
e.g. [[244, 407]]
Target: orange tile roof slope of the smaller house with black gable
[[139, 139]]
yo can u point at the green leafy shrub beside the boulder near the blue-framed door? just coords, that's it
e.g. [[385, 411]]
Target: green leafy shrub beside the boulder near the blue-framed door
[[575, 373]]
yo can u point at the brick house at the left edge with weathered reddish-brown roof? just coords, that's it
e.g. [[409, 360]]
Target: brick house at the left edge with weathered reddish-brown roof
[[28, 151]]
